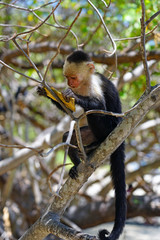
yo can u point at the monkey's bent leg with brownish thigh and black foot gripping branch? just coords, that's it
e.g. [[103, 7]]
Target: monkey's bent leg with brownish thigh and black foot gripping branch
[[87, 138]]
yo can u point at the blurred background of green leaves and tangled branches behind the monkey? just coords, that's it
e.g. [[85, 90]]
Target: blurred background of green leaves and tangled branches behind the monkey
[[25, 117]]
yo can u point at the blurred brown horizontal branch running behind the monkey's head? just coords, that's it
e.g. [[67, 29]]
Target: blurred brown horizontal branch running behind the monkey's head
[[132, 57]]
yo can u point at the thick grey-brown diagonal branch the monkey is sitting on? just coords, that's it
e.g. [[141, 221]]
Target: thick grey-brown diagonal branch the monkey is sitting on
[[85, 169]]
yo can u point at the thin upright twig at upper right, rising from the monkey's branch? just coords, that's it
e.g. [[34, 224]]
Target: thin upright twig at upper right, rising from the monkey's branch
[[143, 50]]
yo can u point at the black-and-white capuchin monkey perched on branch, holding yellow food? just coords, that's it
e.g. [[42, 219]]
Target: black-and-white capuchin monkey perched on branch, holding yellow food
[[92, 90]]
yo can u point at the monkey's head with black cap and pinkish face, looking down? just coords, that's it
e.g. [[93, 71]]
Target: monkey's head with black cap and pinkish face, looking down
[[78, 69]]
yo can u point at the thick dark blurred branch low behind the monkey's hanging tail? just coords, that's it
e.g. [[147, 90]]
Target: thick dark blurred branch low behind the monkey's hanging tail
[[94, 213]]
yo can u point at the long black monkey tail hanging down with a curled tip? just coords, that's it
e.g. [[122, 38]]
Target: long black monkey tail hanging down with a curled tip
[[118, 178]]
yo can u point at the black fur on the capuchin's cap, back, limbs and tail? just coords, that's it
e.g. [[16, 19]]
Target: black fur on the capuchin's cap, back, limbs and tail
[[101, 126]]
